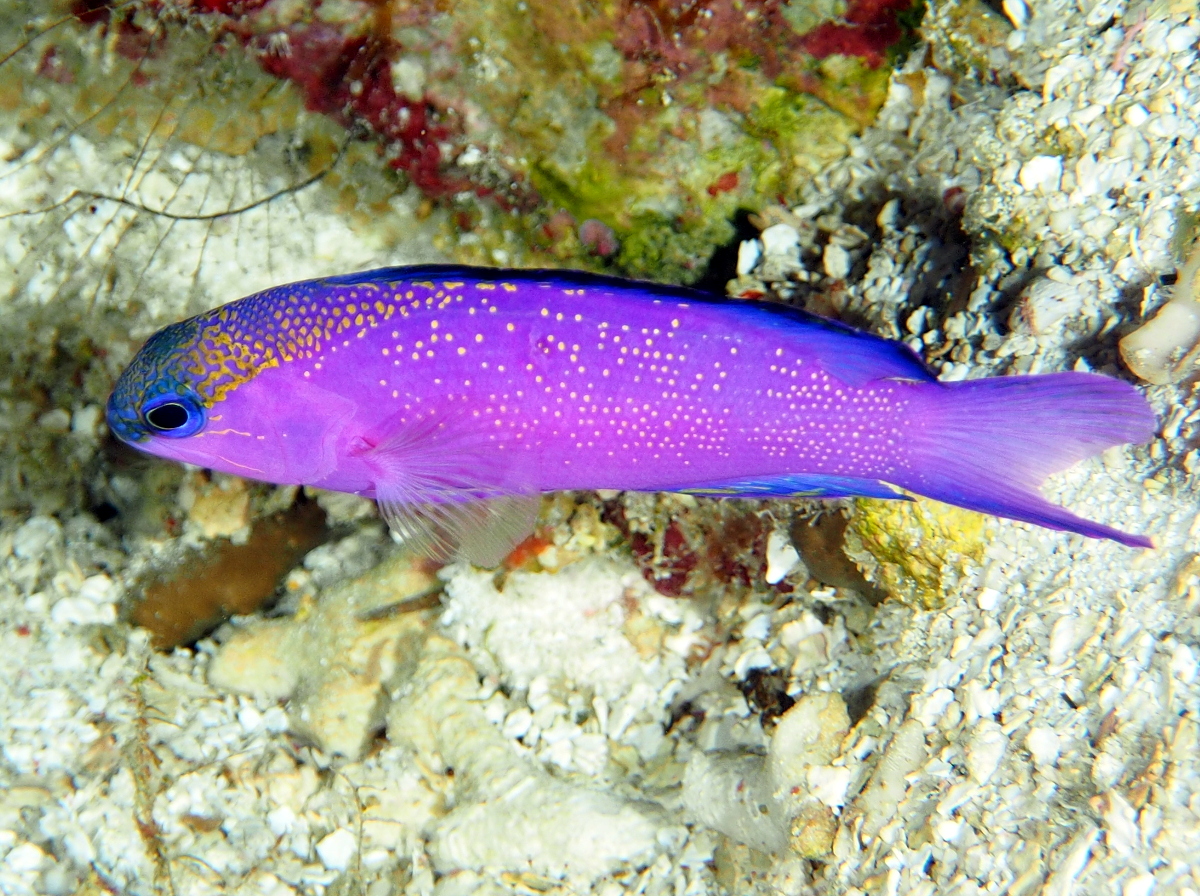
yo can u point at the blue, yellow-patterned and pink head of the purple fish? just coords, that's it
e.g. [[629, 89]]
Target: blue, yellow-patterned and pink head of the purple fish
[[199, 395]]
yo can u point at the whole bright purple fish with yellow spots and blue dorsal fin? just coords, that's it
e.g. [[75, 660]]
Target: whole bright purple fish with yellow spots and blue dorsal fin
[[454, 396]]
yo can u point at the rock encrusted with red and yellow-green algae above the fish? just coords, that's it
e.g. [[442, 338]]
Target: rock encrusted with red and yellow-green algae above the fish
[[680, 116]]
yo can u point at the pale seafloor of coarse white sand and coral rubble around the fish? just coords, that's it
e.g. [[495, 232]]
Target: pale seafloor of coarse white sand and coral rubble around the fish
[[1035, 731]]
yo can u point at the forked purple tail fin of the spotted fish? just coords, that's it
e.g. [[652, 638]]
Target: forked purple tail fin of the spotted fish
[[989, 444]]
